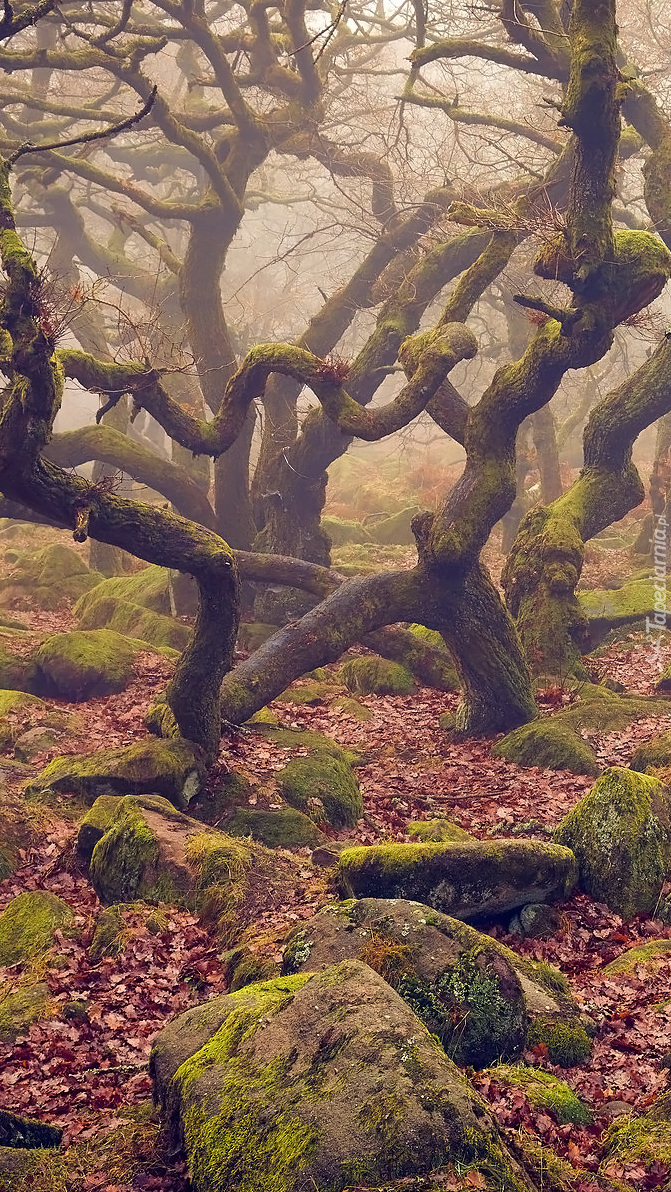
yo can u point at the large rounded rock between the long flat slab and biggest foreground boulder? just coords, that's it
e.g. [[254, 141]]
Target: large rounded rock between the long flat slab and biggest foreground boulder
[[475, 995]]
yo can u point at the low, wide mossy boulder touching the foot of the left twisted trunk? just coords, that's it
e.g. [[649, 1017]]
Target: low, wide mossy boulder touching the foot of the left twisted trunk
[[173, 769]]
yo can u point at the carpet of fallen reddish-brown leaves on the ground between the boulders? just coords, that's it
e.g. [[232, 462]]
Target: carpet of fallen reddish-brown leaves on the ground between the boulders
[[91, 1077]]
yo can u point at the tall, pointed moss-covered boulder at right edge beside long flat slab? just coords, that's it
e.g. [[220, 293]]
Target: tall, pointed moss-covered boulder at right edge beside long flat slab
[[620, 833]]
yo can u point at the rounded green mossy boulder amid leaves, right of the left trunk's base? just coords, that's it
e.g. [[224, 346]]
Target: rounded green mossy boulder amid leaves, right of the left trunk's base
[[324, 789]]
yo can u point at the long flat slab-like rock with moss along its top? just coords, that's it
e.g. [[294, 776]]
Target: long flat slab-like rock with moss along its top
[[468, 880]]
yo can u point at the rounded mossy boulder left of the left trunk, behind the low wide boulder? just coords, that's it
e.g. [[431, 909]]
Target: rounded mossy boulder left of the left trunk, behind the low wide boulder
[[85, 665]]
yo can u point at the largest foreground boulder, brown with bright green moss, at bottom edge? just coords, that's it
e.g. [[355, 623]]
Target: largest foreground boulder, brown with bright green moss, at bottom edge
[[319, 1081]]
